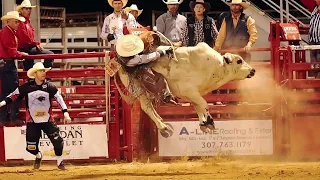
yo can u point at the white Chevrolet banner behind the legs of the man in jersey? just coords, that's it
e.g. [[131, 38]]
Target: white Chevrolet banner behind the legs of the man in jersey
[[81, 141]]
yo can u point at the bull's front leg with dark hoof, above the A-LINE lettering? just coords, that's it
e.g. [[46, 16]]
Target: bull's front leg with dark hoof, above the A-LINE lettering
[[202, 108]]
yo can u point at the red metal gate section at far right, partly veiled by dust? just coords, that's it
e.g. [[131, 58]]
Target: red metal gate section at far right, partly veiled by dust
[[301, 99]]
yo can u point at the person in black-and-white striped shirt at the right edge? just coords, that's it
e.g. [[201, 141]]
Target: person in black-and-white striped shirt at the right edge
[[314, 36]]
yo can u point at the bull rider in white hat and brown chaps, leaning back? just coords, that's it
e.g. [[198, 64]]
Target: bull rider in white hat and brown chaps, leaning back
[[129, 49]]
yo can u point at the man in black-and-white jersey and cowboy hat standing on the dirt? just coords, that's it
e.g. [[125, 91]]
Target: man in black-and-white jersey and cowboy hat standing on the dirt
[[38, 95]]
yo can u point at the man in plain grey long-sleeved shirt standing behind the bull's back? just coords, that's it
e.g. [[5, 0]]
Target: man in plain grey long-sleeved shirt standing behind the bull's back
[[171, 23]]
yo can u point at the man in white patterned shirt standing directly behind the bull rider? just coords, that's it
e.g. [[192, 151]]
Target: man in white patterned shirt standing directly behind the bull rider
[[113, 24]]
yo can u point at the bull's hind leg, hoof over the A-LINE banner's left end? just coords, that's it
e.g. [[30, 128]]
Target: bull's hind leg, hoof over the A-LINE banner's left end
[[148, 108]]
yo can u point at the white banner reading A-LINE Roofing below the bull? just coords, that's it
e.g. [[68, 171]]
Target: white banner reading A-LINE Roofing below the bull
[[237, 137]]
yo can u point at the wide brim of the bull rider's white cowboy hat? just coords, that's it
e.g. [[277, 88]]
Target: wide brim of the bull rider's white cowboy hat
[[123, 40]]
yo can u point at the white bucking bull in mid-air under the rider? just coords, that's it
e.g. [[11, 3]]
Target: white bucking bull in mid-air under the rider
[[198, 71]]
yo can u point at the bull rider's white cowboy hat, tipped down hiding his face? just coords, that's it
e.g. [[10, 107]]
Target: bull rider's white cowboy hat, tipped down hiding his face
[[129, 45]]
